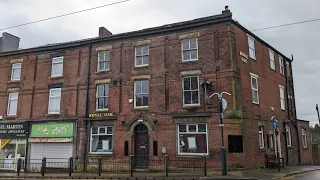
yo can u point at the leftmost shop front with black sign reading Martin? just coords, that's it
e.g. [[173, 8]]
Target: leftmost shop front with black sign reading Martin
[[13, 143]]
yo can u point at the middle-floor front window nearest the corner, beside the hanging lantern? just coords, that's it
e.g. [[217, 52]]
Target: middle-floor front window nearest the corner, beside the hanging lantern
[[191, 90]]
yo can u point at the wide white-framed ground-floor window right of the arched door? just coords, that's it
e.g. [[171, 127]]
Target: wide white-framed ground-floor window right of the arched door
[[192, 138]]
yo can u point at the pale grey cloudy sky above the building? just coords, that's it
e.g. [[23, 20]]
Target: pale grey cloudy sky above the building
[[300, 40]]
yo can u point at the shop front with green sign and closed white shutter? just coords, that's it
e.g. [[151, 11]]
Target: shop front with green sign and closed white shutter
[[53, 141]]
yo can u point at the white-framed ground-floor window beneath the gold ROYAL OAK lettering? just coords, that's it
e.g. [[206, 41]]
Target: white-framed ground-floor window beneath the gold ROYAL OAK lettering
[[101, 139]]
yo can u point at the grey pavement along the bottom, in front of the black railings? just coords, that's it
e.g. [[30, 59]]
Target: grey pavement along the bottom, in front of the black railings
[[289, 172]]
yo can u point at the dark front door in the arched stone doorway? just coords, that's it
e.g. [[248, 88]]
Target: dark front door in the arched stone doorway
[[141, 147]]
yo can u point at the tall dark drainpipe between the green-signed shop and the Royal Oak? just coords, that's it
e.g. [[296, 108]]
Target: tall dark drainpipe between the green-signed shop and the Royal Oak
[[87, 111]]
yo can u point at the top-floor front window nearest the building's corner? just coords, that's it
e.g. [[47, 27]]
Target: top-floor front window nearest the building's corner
[[190, 49]]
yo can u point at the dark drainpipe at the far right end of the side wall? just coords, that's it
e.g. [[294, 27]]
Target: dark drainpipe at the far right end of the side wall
[[294, 109]]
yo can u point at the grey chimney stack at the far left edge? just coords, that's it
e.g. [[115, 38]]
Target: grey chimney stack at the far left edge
[[9, 42]]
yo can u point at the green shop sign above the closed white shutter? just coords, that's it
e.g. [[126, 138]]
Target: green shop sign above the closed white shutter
[[52, 130]]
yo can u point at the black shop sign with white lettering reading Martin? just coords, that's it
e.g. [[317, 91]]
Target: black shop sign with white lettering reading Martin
[[13, 130]]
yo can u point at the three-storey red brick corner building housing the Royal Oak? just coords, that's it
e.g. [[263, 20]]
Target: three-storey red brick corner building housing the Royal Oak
[[147, 93]]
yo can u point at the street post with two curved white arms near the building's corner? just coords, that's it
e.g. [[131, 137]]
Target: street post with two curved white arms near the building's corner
[[222, 106]]
